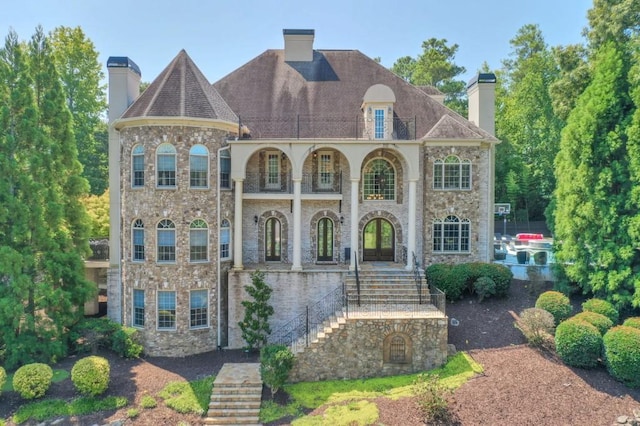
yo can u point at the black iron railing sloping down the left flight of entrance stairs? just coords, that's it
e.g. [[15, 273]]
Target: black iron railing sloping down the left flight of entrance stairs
[[296, 332]]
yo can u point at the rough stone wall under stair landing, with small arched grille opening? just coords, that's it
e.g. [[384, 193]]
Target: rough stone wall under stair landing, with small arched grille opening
[[360, 348]]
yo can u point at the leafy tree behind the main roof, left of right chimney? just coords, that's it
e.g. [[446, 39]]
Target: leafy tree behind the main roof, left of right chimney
[[435, 67]]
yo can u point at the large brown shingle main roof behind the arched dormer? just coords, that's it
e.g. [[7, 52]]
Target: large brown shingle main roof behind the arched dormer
[[267, 90]]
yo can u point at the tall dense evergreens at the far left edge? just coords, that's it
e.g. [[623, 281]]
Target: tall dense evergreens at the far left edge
[[43, 227]]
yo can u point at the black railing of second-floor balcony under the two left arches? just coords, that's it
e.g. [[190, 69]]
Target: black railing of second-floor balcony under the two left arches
[[311, 183]]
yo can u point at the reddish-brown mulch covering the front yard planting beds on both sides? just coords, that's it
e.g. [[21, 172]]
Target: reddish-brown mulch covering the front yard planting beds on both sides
[[520, 385]]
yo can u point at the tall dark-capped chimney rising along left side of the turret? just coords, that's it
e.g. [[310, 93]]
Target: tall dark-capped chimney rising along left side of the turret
[[124, 88]]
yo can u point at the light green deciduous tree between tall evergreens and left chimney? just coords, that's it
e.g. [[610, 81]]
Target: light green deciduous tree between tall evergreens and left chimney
[[81, 72]]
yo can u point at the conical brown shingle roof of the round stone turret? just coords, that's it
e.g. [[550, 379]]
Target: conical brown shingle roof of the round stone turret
[[181, 90]]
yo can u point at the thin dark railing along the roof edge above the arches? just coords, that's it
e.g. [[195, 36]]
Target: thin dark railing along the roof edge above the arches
[[310, 127]]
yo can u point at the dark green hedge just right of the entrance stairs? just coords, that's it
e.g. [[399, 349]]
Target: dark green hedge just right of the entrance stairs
[[454, 280]]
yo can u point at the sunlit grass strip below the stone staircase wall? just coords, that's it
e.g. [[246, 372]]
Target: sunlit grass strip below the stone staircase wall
[[310, 395]]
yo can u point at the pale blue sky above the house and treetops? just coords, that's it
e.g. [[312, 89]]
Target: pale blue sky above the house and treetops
[[222, 35]]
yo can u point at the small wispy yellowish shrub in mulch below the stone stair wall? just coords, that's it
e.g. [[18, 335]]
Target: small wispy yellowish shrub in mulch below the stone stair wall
[[431, 397]]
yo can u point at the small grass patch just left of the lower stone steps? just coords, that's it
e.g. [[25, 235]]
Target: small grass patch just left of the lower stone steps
[[188, 397]]
